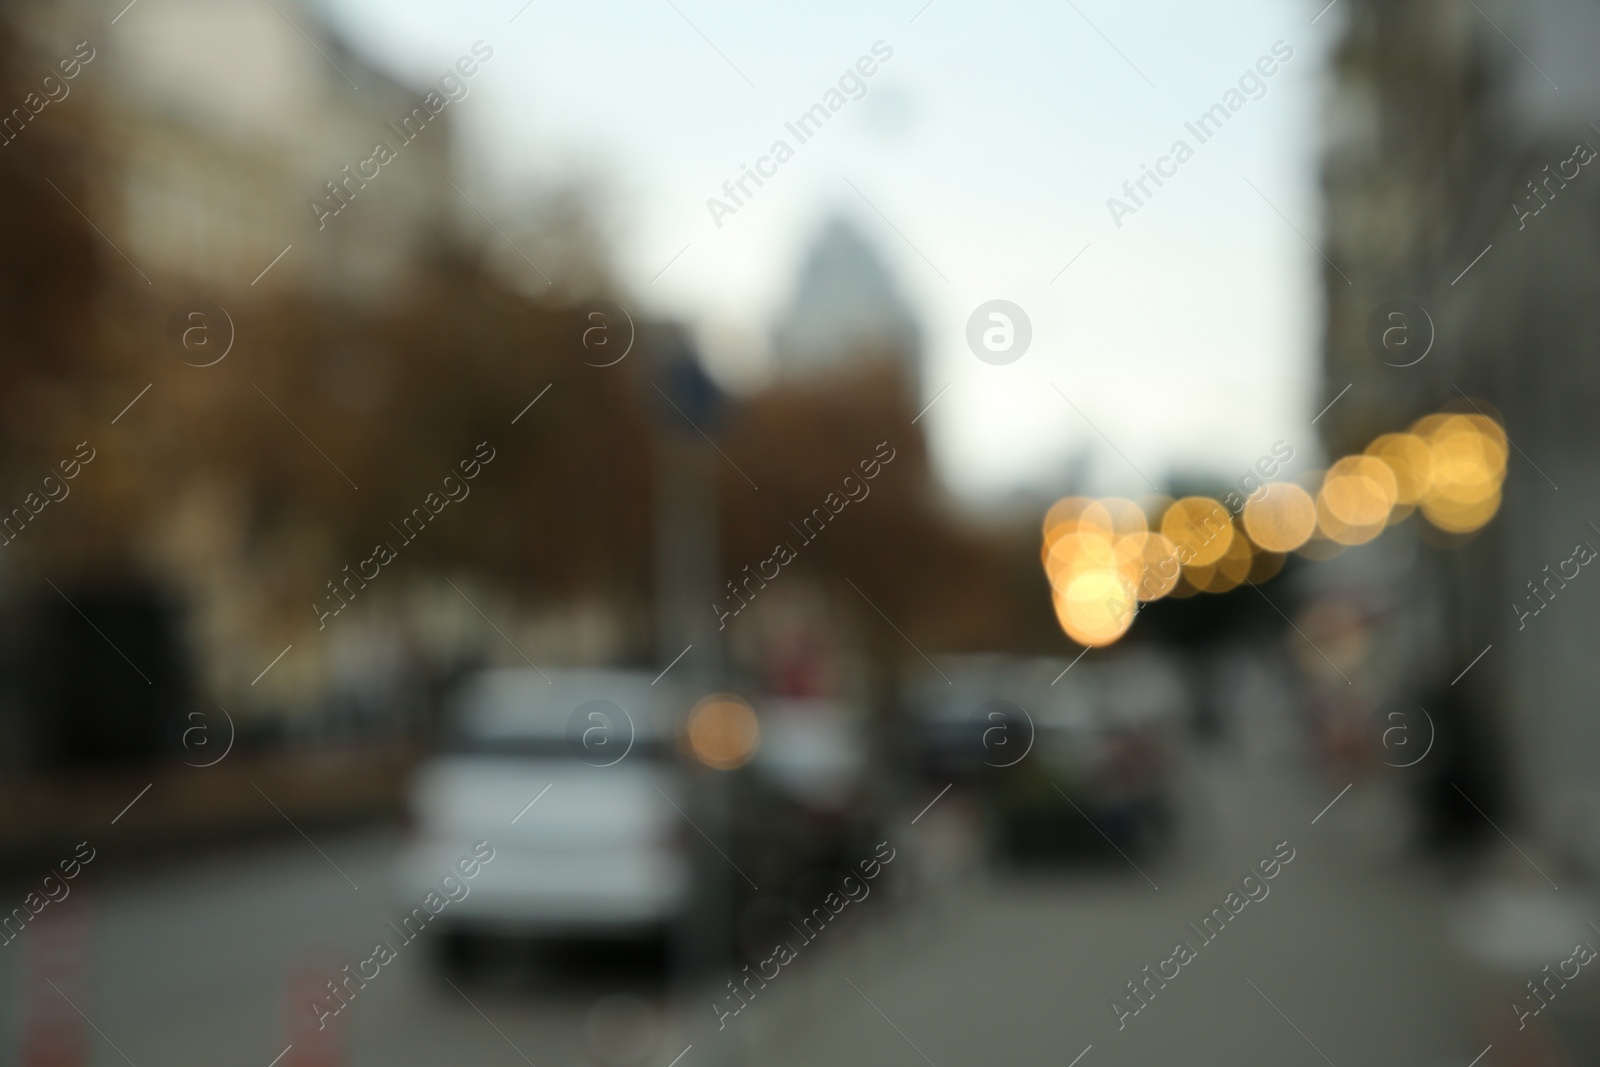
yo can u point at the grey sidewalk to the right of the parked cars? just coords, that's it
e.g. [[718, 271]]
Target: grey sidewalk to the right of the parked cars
[[1345, 961]]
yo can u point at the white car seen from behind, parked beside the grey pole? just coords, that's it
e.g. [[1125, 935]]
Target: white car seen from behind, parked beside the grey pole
[[572, 783]]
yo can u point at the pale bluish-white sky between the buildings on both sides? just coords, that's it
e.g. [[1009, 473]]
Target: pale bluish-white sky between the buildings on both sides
[[980, 162]]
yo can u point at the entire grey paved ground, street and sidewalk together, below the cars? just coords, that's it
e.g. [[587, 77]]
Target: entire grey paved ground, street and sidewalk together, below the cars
[[1345, 962]]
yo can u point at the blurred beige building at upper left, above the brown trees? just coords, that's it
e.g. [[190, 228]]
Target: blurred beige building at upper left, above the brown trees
[[217, 122]]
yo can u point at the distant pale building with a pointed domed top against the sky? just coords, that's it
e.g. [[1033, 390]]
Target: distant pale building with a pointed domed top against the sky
[[847, 311]]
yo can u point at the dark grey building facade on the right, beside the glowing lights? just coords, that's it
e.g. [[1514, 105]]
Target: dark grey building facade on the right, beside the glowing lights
[[1460, 178]]
